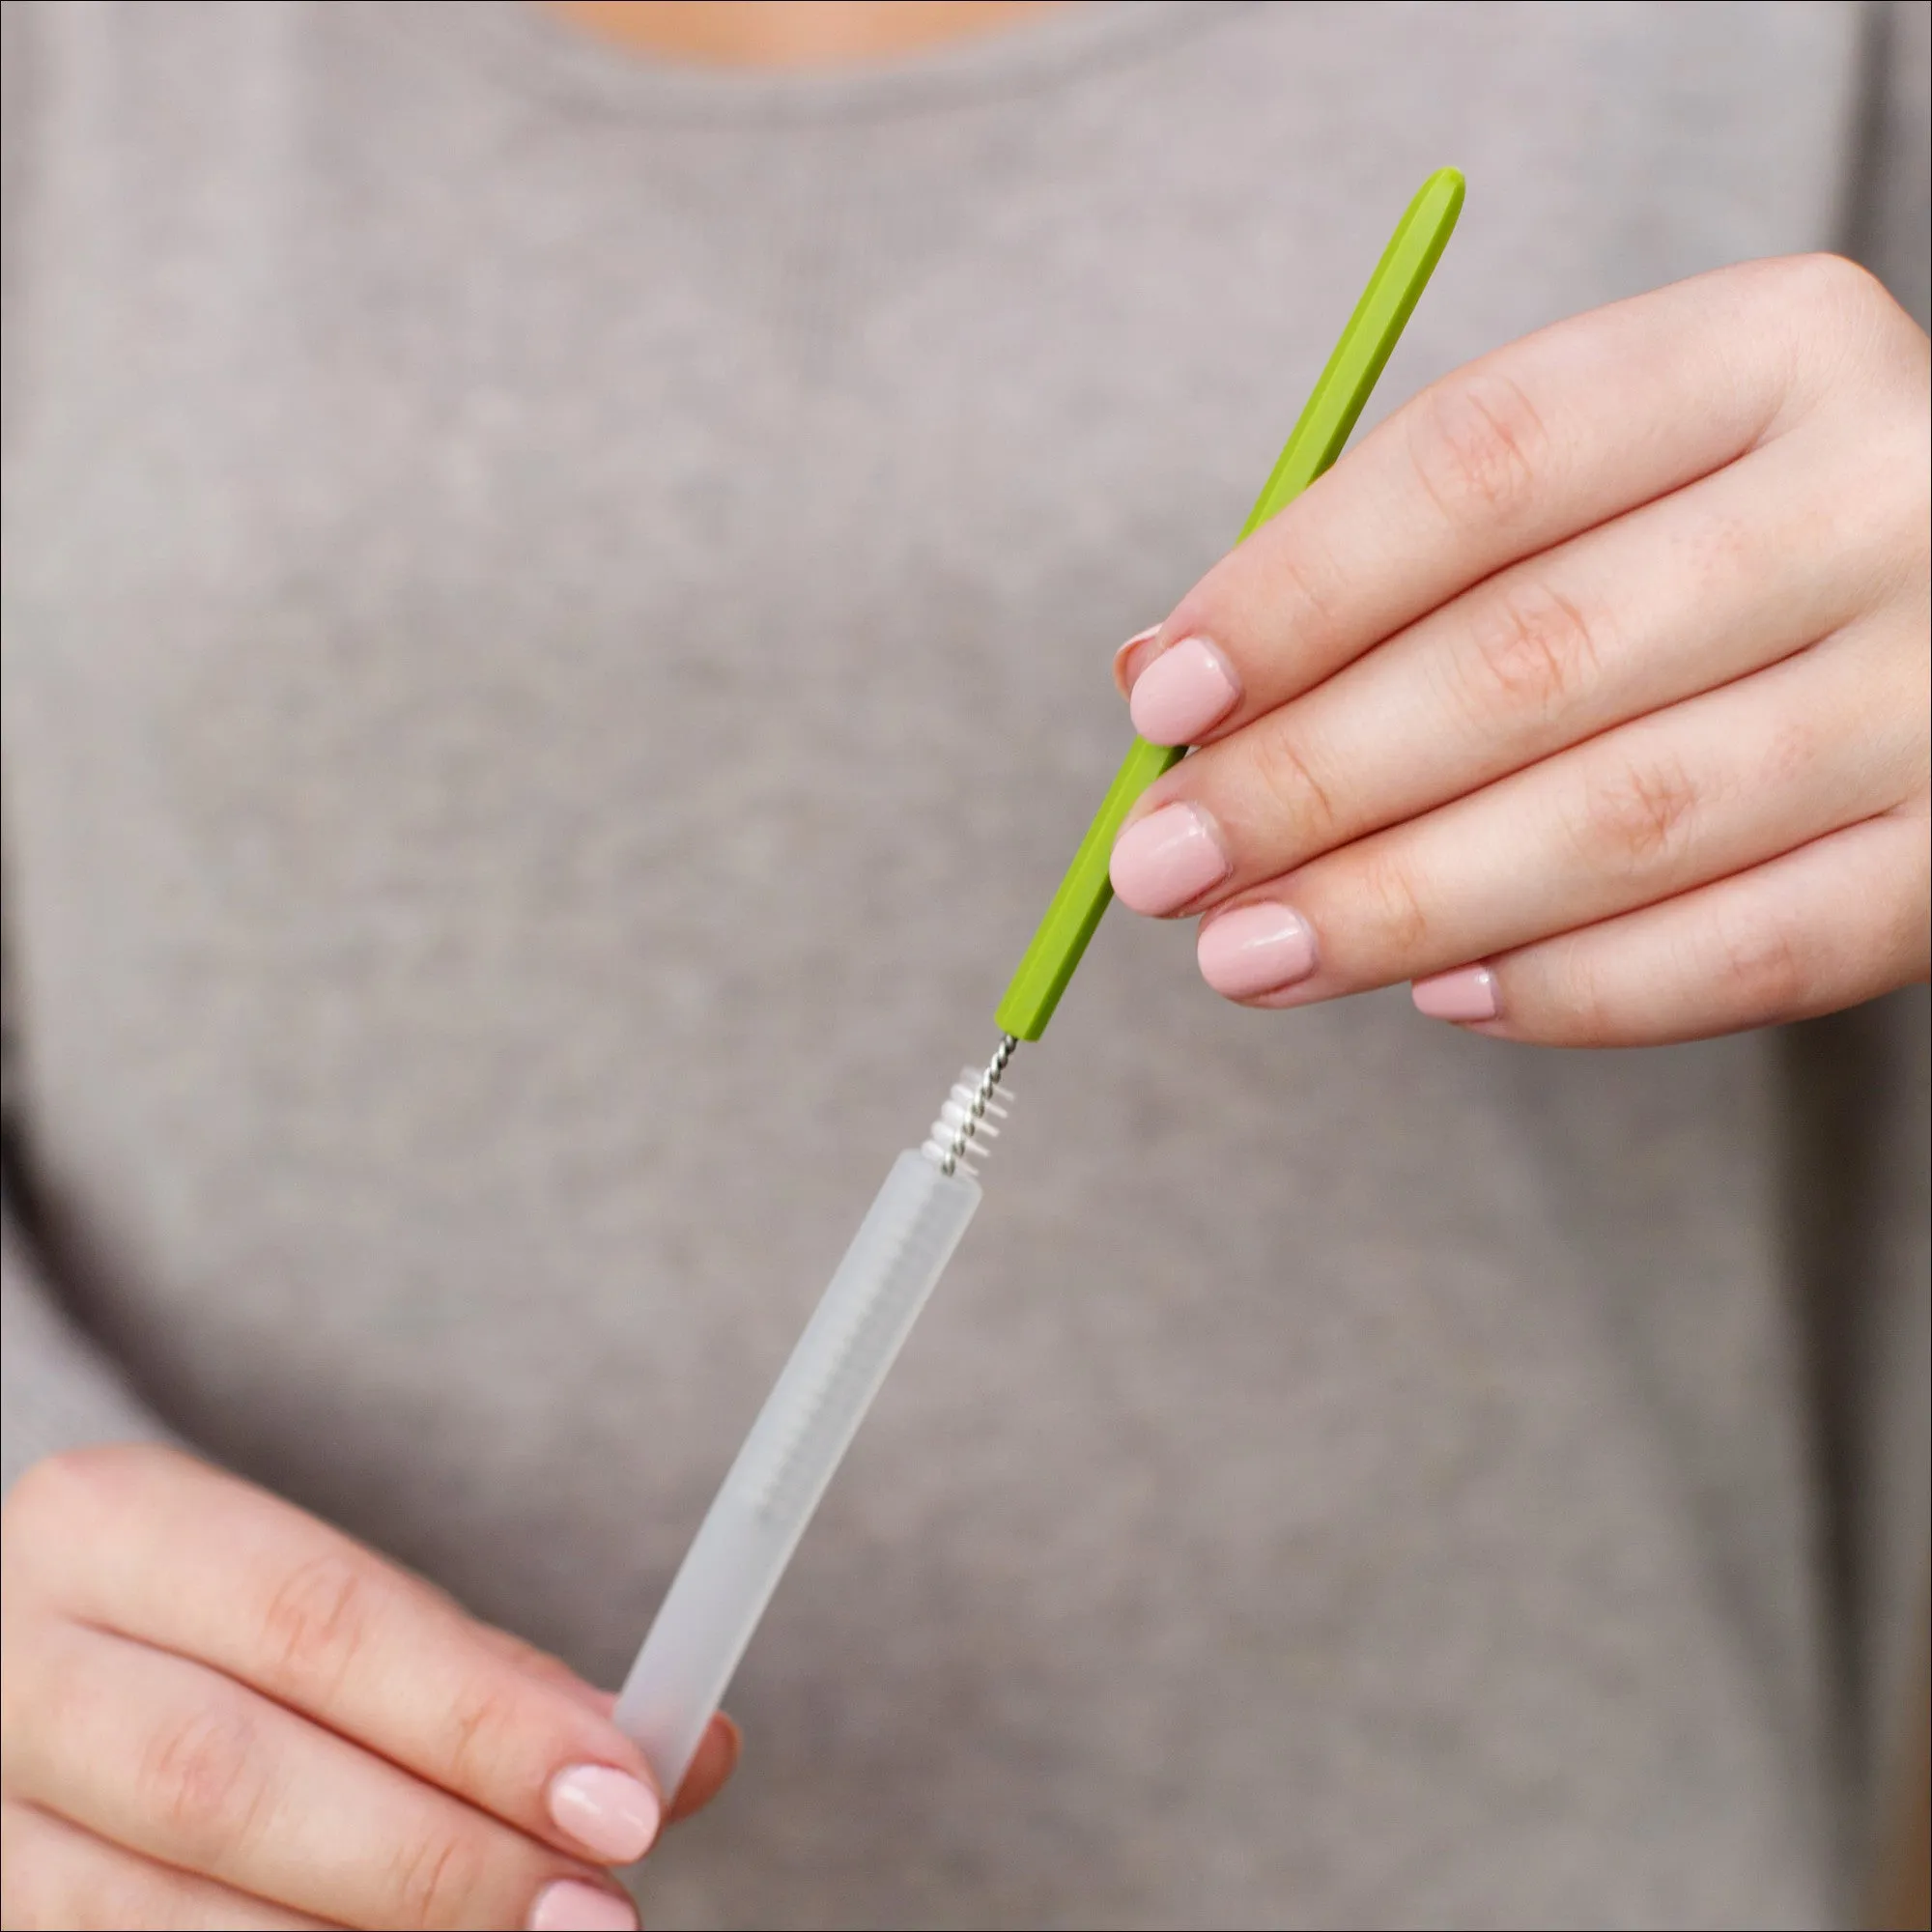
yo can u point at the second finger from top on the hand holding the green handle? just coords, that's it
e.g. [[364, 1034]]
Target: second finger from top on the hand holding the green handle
[[1668, 602]]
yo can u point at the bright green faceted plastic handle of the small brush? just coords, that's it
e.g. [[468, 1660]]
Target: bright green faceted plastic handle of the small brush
[[1319, 440]]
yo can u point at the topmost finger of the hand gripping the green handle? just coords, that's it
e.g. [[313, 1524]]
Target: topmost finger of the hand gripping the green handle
[[1510, 455]]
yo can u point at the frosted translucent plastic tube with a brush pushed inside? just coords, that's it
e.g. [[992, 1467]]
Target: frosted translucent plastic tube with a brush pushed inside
[[789, 1458]]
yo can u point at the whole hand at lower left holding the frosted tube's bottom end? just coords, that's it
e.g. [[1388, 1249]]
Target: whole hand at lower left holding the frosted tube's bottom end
[[221, 1713]]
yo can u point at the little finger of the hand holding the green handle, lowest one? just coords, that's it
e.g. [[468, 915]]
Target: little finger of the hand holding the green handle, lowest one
[[1827, 926]]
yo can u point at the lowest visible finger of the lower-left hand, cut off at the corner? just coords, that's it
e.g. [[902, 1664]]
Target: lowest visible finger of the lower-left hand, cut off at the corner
[[59, 1875]]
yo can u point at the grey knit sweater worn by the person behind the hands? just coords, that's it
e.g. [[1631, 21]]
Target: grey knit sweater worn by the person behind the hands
[[555, 640]]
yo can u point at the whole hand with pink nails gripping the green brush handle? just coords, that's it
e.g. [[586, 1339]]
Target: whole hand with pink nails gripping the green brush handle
[[1589, 693]]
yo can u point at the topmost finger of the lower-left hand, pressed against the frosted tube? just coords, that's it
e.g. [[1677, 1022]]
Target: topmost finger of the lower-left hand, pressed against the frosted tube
[[318, 1622]]
